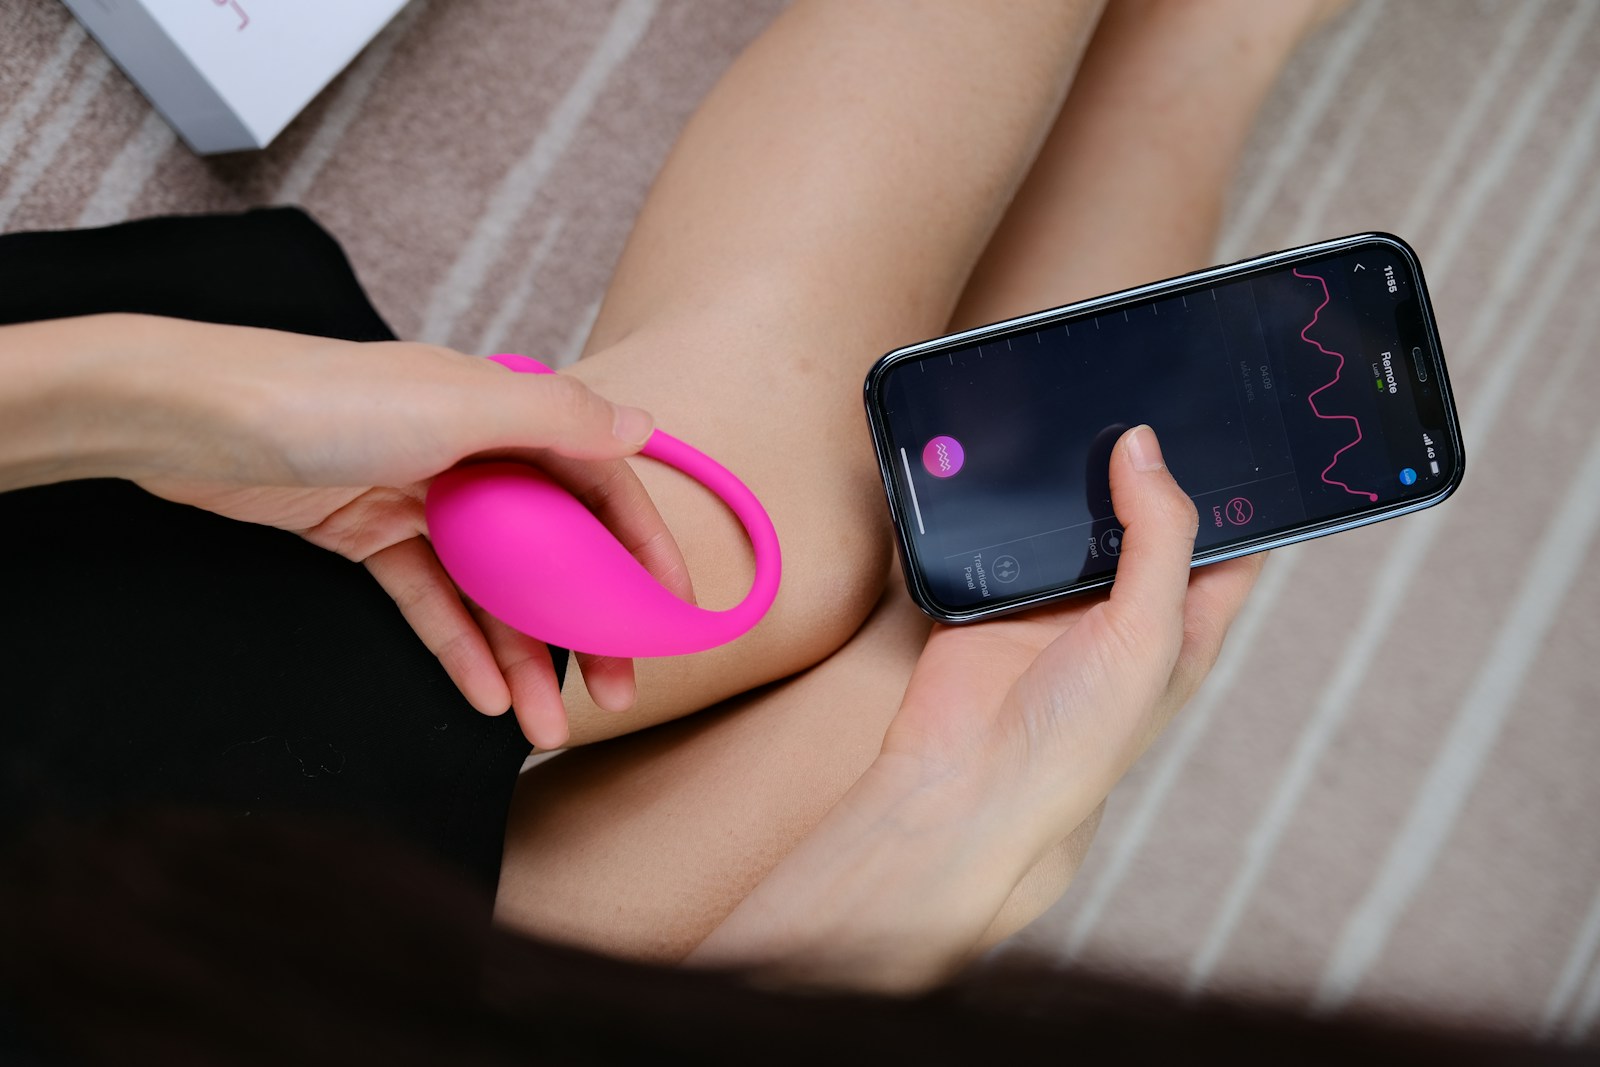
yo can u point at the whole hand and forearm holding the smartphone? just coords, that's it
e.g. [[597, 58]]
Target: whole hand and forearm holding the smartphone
[[1010, 735]]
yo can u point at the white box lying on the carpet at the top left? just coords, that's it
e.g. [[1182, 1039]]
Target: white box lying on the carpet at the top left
[[231, 74]]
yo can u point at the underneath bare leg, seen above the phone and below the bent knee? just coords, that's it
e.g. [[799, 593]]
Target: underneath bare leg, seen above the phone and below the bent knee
[[644, 844]]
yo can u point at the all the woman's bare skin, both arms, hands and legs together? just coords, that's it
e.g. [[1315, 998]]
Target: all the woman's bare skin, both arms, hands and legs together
[[870, 801]]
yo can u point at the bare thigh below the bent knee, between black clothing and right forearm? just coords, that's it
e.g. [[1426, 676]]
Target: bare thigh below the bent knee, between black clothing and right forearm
[[642, 845]]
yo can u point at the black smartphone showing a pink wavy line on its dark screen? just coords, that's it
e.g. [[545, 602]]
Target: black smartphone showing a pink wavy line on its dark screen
[[1295, 394]]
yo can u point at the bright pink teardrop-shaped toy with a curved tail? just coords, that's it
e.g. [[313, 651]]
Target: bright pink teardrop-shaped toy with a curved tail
[[530, 554]]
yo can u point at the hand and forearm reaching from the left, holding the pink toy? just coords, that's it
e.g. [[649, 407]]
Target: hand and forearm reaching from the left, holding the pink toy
[[340, 442]]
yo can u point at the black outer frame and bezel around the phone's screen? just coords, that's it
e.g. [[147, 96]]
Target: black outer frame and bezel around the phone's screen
[[1038, 321]]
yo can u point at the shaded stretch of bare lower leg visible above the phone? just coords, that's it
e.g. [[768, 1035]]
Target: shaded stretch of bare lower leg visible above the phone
[[1132, 182]]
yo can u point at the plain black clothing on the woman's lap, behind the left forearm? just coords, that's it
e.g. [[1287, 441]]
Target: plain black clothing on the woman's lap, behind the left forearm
[[159, 655]]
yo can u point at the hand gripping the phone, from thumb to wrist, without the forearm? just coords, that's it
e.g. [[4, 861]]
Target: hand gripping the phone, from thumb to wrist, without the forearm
[[1049, 709]]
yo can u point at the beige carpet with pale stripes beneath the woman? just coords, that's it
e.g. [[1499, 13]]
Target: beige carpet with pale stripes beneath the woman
[[1390, 793]]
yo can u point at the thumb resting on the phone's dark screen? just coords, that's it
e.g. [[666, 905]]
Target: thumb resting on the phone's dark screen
[[1159, 532]]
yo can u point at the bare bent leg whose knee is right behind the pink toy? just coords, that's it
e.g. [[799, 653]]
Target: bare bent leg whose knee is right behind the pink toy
[[826, 204]]
